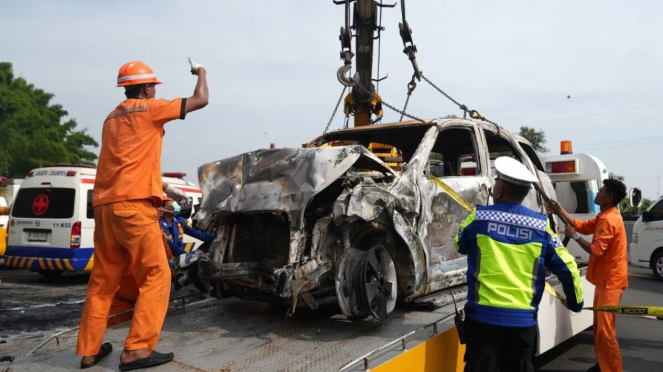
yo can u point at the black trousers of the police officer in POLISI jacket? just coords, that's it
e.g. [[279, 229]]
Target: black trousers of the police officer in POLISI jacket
[[498, 349]]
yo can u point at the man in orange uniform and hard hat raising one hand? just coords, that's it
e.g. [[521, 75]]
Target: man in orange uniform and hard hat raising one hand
[[127, 236]]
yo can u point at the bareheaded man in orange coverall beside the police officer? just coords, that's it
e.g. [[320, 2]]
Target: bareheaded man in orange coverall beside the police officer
[[608, 268]]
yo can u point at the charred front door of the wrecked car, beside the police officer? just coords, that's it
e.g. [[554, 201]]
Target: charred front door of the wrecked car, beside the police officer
[[456, 177]]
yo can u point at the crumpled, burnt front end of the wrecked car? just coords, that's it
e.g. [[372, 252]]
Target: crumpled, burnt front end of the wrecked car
[[285, 216]]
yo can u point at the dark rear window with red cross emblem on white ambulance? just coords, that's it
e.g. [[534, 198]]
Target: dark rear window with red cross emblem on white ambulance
[[46, 202]]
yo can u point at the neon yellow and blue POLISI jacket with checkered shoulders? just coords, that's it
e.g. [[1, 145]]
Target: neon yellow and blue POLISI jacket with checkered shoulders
[[509, 247]]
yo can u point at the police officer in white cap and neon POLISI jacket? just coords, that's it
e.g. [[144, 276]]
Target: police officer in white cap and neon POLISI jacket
[[508, 248]]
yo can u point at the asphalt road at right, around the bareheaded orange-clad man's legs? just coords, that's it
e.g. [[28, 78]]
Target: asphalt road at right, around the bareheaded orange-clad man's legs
[[640, 339]]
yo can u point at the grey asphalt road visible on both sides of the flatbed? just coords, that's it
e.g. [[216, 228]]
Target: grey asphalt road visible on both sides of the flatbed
[[24, 323]]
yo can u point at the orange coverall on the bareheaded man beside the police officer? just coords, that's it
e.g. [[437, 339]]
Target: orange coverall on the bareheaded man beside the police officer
[[608, 271]]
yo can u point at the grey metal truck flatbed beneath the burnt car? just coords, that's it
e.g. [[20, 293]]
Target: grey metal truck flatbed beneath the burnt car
[[231, 335]]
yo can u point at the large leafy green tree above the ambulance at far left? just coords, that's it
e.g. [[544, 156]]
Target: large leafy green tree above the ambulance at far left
[[32, 133]]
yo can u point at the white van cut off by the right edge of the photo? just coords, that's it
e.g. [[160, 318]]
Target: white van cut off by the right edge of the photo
[[647, 240]]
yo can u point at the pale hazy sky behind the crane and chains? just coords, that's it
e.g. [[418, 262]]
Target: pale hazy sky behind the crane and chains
[[272, 69]]
